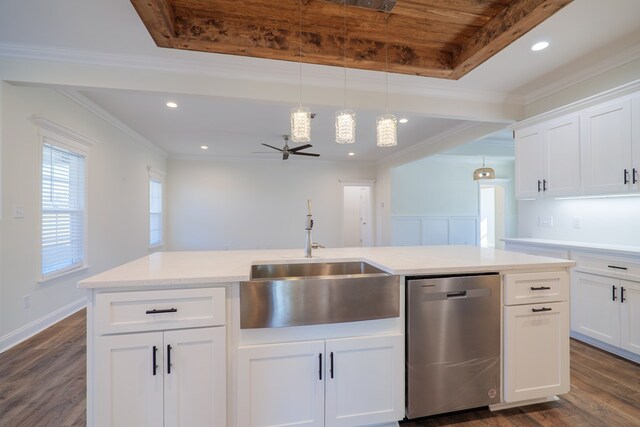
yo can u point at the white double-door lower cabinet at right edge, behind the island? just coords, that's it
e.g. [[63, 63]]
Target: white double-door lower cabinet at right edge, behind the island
[[607, 309]]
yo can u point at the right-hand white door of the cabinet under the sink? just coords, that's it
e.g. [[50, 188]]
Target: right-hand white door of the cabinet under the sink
[[364, 383]]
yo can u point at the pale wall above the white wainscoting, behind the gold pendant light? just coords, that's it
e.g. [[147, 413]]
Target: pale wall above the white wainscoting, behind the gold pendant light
[[443, 186]]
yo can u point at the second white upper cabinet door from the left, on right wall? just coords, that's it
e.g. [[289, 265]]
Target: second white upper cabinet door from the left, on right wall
[[561, 159]]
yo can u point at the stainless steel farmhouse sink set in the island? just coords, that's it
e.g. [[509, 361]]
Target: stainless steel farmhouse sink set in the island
[[279, 295]]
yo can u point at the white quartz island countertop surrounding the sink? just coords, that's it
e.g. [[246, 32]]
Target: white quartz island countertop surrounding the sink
[[186, 268]]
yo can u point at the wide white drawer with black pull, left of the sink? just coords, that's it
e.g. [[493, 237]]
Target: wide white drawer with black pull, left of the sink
[[120, 312]]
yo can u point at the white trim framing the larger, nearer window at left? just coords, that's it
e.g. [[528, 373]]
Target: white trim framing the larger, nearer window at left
[[60, 136]]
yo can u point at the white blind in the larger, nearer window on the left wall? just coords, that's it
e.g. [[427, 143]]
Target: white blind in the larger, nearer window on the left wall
[[63, 207]]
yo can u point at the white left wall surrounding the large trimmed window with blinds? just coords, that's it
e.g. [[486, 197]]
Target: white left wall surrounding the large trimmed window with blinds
[[117, 205]]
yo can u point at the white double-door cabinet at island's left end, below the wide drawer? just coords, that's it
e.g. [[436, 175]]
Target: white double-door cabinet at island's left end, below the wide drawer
[[170, 378]]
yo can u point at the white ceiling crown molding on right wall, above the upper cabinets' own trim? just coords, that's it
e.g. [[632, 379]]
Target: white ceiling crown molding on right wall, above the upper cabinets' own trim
[[584, 74]]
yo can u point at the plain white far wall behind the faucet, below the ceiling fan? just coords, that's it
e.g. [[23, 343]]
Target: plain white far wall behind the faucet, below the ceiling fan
[[256, 204]]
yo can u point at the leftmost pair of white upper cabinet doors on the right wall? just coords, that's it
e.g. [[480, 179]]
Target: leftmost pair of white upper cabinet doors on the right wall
[[548, 158]]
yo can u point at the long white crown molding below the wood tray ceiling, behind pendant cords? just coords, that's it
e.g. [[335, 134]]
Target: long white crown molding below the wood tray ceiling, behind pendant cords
[[264, 70]]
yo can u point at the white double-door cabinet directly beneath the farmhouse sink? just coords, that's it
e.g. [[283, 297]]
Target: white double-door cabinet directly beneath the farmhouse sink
[[337, 382]]
